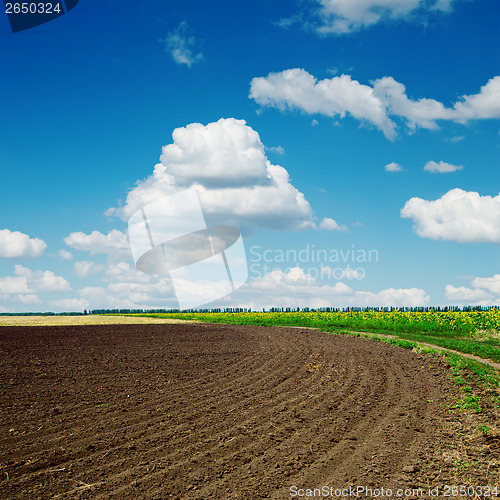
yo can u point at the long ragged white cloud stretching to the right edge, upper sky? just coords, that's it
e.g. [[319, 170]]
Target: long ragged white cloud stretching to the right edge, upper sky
[[375, 104]]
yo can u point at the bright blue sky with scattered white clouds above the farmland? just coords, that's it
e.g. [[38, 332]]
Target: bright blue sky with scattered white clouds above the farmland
[[331, 91]]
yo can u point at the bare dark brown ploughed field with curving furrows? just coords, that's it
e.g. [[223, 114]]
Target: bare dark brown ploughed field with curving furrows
[[213, 411]]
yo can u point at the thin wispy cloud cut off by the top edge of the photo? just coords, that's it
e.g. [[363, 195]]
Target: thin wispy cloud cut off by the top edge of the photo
[[345, 16]]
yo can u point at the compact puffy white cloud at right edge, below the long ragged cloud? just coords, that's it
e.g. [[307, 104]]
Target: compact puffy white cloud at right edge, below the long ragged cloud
[[463, 216]]
